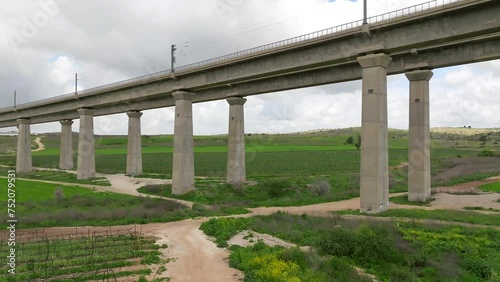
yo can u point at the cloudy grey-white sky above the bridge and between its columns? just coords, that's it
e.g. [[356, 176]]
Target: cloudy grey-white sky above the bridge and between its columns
[[43, 43]]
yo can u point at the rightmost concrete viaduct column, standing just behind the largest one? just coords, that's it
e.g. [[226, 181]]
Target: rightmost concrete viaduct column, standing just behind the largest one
[[419, 160]]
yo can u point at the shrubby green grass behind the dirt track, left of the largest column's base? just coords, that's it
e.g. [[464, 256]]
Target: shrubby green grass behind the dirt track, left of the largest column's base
[[271, 192]]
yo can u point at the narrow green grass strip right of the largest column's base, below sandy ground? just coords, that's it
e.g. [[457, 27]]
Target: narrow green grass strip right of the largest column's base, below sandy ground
[[444, 215]]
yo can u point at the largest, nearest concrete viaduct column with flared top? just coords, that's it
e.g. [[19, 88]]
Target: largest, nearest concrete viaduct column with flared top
[[374, 141]]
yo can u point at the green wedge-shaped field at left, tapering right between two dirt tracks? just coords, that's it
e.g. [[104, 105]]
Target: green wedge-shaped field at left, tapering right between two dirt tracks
[[39, 205]]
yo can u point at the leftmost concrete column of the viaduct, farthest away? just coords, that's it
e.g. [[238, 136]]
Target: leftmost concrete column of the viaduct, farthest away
[[23, 159]]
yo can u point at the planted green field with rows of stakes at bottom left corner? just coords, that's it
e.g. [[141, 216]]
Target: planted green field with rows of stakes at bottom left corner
[[98, 257]]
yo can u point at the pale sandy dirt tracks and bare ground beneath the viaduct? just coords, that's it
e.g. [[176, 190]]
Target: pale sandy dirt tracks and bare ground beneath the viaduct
[[194, 257]]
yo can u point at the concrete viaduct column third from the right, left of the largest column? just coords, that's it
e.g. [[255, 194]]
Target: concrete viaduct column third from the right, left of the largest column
[[236, 173]]
